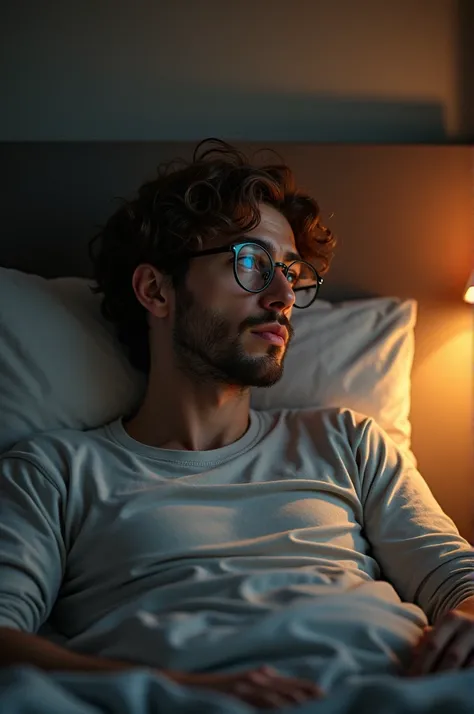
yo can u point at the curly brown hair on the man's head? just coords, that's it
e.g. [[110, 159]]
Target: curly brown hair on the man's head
[[213, 197]]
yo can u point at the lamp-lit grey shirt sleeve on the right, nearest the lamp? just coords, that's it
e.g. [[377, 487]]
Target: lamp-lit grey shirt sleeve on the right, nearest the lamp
[[417, 545]]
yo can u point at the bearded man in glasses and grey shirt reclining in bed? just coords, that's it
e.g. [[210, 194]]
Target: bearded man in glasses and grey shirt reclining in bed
[[197, 537]]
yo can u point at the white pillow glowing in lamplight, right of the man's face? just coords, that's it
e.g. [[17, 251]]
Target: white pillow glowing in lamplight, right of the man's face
[[356, 354]]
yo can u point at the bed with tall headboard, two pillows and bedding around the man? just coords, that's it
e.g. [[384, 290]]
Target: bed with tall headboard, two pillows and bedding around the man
[[404, 220]]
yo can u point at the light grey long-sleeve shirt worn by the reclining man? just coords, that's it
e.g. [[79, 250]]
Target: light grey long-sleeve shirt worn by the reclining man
[[311, 543]]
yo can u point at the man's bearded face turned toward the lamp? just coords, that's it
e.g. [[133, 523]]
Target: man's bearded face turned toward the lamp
[[214, 316]]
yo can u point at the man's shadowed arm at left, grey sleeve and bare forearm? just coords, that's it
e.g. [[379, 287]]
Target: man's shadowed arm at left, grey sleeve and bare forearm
[[32, 561]]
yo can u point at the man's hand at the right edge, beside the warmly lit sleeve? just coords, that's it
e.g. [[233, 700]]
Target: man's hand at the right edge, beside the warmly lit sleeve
[[446, 646]]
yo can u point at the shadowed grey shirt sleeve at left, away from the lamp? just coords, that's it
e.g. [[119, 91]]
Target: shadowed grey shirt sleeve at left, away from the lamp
[[32, 550]]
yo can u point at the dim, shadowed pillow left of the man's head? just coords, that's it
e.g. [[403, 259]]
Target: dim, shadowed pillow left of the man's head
[[60, 363]]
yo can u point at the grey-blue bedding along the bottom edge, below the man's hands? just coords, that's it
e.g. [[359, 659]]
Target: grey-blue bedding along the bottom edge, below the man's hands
[[25, 689]]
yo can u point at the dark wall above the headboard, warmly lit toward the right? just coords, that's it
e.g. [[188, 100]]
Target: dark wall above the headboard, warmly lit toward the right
[[309, 70]]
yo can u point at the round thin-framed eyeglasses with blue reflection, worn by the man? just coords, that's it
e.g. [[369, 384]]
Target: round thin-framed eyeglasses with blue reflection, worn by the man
[[254, 269]]
